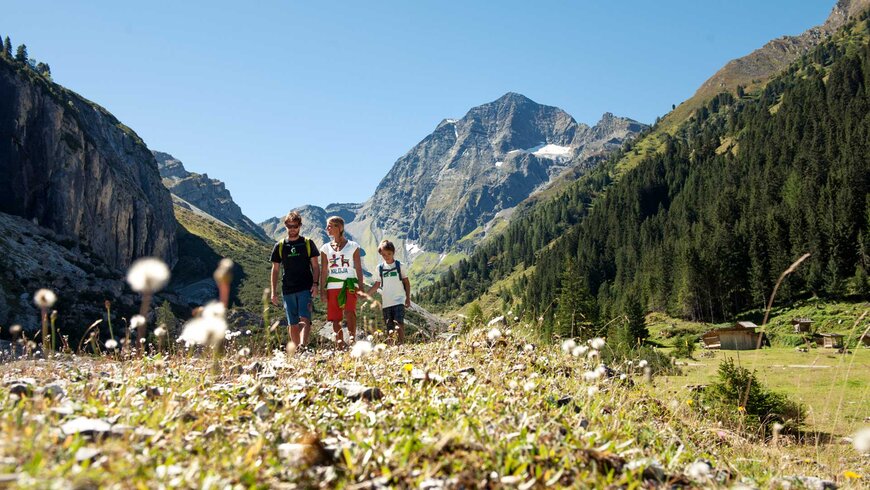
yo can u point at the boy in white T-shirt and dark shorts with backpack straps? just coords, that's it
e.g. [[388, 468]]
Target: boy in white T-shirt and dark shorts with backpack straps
[[396, 289]]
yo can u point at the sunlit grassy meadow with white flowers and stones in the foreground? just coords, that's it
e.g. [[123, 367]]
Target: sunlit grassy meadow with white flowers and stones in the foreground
[[481, 409]]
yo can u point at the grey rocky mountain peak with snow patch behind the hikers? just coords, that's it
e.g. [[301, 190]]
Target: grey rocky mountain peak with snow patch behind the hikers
[[464, 179]]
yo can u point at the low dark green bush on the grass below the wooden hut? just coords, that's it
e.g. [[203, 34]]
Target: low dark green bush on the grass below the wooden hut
[[728, 398]]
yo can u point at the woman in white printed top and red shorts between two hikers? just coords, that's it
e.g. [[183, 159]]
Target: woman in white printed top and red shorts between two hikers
[[342, 268]]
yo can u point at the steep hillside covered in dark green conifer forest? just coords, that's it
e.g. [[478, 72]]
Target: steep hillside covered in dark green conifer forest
[[703, 228]]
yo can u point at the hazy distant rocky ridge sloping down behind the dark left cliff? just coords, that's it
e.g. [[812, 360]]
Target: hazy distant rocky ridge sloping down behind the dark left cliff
[[206, 194]]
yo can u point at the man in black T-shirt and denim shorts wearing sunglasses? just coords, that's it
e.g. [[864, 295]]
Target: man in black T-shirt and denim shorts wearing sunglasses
[[301, 278]]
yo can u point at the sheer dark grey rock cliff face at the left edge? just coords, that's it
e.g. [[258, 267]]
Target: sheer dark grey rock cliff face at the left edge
[[70, 166]]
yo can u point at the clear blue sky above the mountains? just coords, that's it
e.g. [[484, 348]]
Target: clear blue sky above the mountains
[[293, 102]]
